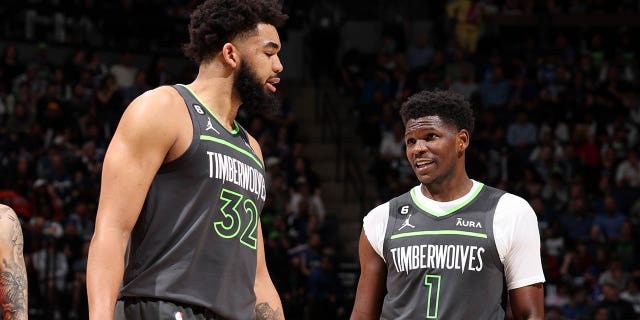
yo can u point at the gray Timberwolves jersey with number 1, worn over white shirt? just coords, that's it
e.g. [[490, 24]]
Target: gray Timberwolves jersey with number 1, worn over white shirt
[[443, 267]]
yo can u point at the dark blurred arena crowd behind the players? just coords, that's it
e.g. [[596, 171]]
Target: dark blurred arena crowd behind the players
[[554, 85]]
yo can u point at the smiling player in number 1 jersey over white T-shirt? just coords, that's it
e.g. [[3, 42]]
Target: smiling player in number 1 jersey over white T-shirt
[[451, 247]]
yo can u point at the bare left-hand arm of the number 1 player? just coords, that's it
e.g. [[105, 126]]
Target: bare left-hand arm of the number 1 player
[[370, 292]]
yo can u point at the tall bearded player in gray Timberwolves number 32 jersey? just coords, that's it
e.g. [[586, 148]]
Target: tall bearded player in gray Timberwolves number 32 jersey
[[183, 183]]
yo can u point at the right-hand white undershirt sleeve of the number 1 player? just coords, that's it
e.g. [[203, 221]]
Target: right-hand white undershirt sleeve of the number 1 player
[[518, 241]]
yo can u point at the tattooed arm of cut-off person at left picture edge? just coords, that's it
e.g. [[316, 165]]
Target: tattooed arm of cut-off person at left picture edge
[[13, 274]]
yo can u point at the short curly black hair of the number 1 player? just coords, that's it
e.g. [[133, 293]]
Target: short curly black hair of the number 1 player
[[451, 107]]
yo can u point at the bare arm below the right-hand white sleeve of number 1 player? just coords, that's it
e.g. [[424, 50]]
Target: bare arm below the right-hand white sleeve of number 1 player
[[527, 303]]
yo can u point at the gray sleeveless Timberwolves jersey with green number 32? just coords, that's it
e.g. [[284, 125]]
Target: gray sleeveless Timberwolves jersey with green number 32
[[196, 238]]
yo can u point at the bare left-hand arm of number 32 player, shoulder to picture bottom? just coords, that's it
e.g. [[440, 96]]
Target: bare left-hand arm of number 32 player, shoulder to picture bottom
[[141, 143]]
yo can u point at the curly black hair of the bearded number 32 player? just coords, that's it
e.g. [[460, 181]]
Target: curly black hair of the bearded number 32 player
[[216, 22]]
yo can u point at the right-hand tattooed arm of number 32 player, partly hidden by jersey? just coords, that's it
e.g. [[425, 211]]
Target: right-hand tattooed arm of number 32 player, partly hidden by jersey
[[268, 304]]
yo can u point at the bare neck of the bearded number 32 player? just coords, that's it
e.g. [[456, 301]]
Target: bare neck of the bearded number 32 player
[[214, 88]]
